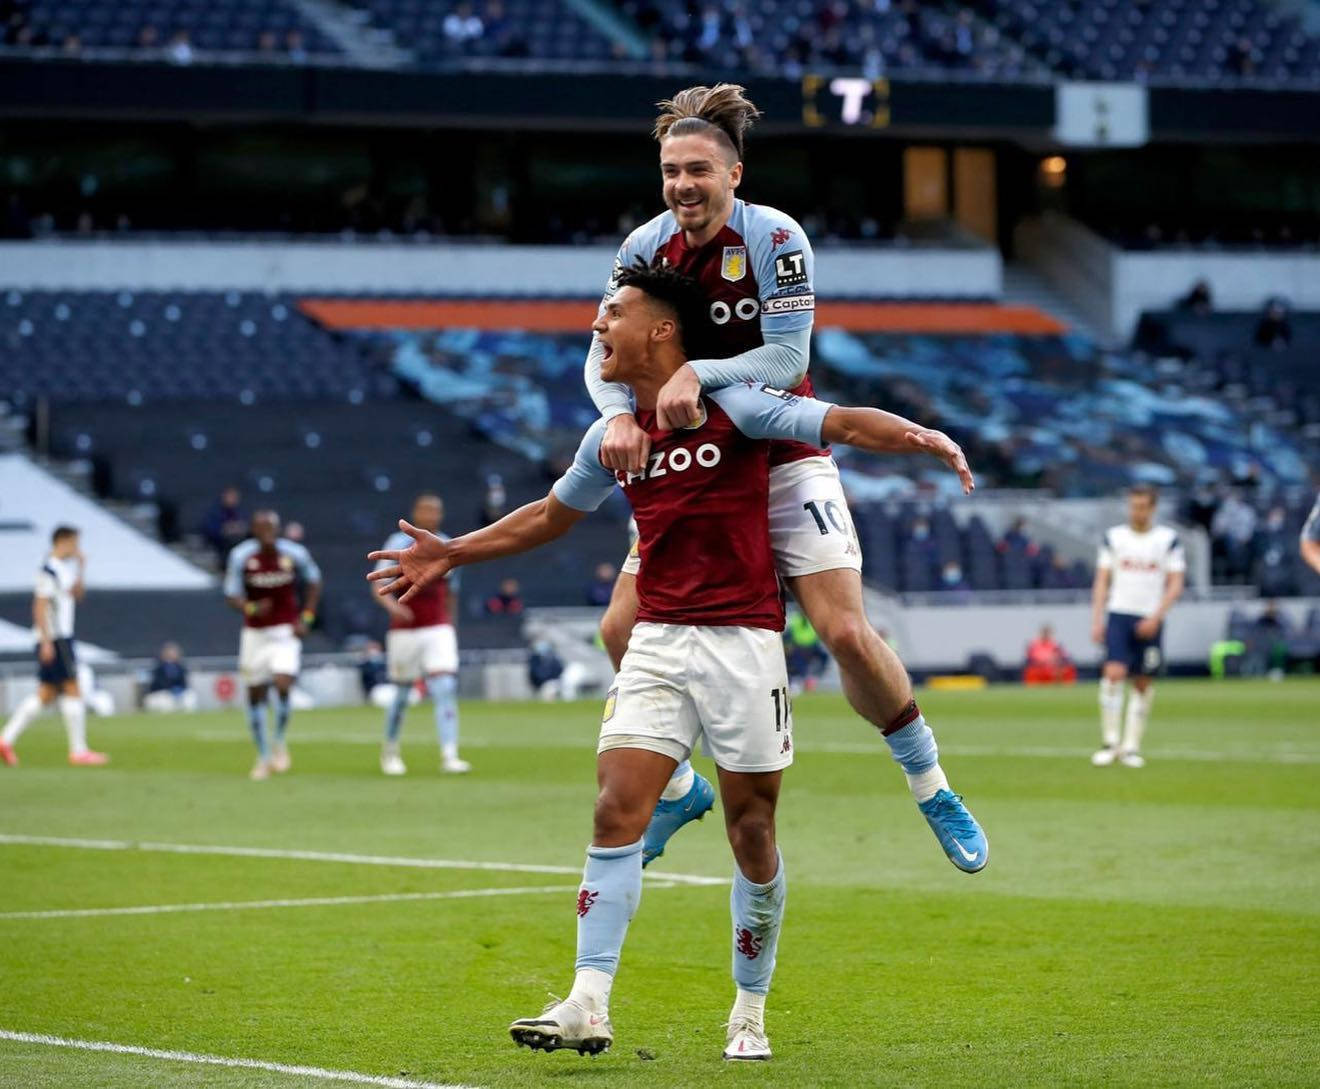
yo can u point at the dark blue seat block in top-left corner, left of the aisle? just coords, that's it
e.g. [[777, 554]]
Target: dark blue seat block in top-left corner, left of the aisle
[[269, 28]]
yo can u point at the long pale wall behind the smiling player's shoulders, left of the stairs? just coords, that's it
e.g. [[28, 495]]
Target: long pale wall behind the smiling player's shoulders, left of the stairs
[[448, 269]]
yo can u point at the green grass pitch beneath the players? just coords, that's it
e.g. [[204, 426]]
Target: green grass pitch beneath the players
[[1135, 929]]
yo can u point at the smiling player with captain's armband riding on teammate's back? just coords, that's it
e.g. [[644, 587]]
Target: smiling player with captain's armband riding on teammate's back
[[757, 270]]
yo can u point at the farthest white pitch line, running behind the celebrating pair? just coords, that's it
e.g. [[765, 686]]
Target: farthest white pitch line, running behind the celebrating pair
[[861, 749]]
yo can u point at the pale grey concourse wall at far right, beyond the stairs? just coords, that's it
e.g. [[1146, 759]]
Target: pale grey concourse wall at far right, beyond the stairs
[[1112, 286]]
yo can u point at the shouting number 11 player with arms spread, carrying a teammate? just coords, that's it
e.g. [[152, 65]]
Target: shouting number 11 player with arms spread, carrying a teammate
[[706, 661]]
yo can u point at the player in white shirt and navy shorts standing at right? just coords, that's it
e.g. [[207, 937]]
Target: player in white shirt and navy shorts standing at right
[[1140, 575]]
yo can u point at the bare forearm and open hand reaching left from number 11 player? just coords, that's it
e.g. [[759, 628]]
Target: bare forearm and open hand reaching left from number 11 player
[[431, 559]]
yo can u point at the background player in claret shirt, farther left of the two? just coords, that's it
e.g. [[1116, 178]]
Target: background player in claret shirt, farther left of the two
[[262, 581]]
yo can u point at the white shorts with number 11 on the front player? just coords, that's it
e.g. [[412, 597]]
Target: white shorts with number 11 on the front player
[[723, 687]]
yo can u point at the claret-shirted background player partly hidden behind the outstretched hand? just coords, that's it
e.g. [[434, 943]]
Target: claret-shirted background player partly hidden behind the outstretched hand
[[422, 645]]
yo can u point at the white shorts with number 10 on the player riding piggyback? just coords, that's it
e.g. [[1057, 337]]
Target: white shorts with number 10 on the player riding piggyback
[[811, 529]]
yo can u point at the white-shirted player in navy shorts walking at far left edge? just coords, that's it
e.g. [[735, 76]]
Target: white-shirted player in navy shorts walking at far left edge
[[60, 588]]
